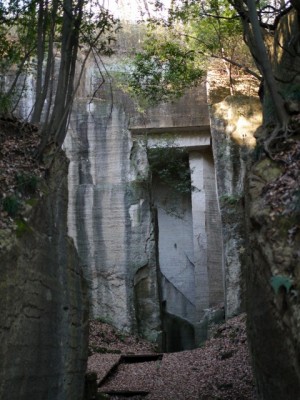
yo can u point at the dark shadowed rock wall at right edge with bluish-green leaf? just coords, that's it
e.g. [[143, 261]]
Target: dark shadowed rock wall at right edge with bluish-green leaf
[[273, 278]]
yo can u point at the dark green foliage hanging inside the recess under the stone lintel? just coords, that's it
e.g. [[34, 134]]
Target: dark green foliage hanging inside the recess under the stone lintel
[[171, 166]]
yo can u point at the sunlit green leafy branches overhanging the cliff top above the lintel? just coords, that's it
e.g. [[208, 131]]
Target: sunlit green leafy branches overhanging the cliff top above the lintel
[[178, 50]]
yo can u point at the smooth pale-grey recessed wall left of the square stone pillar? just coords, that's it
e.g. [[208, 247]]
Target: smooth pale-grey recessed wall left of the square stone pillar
[[175, 244]]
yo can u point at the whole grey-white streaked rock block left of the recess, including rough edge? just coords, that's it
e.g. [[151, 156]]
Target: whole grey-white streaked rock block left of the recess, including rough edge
[[110, 217]]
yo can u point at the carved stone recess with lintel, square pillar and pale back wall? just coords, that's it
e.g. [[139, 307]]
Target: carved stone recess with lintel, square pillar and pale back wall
[[192, 271]]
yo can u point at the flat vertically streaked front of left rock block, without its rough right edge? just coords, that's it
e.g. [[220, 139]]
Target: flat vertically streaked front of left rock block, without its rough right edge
[[97, 216]]
